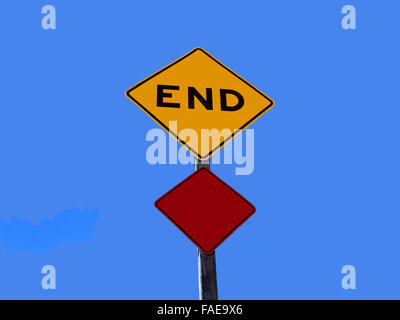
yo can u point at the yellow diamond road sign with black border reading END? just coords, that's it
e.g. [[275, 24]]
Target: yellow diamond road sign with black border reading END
[[200, 102]]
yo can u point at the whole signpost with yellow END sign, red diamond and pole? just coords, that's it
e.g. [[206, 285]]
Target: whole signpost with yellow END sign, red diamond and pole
[[200, 95]]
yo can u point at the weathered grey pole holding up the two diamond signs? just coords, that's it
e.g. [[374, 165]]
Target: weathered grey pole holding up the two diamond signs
[[206, 262]]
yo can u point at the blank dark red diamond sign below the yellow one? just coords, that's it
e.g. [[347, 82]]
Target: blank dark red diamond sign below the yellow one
[[205, 209]]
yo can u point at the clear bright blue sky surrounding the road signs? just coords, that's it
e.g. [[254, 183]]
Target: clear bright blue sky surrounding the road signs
[[326, 178]]
